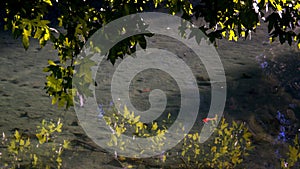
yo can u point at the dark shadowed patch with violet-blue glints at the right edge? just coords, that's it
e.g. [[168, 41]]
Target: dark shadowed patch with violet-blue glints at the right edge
[[257, 95]]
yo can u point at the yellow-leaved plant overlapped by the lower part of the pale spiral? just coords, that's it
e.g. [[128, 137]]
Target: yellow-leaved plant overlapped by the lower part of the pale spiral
[[129, 123]]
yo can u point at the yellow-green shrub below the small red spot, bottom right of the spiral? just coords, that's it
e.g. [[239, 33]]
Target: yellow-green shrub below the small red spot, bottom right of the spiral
[[228, 149]]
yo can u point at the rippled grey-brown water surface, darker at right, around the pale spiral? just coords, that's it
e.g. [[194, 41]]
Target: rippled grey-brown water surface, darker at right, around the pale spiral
[[263, 90]]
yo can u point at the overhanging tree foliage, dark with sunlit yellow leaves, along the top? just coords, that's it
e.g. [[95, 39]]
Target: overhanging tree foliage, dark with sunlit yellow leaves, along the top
[[68, 24]]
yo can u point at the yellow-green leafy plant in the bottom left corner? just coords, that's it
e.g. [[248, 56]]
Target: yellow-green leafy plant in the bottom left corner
[[41, 151]]
